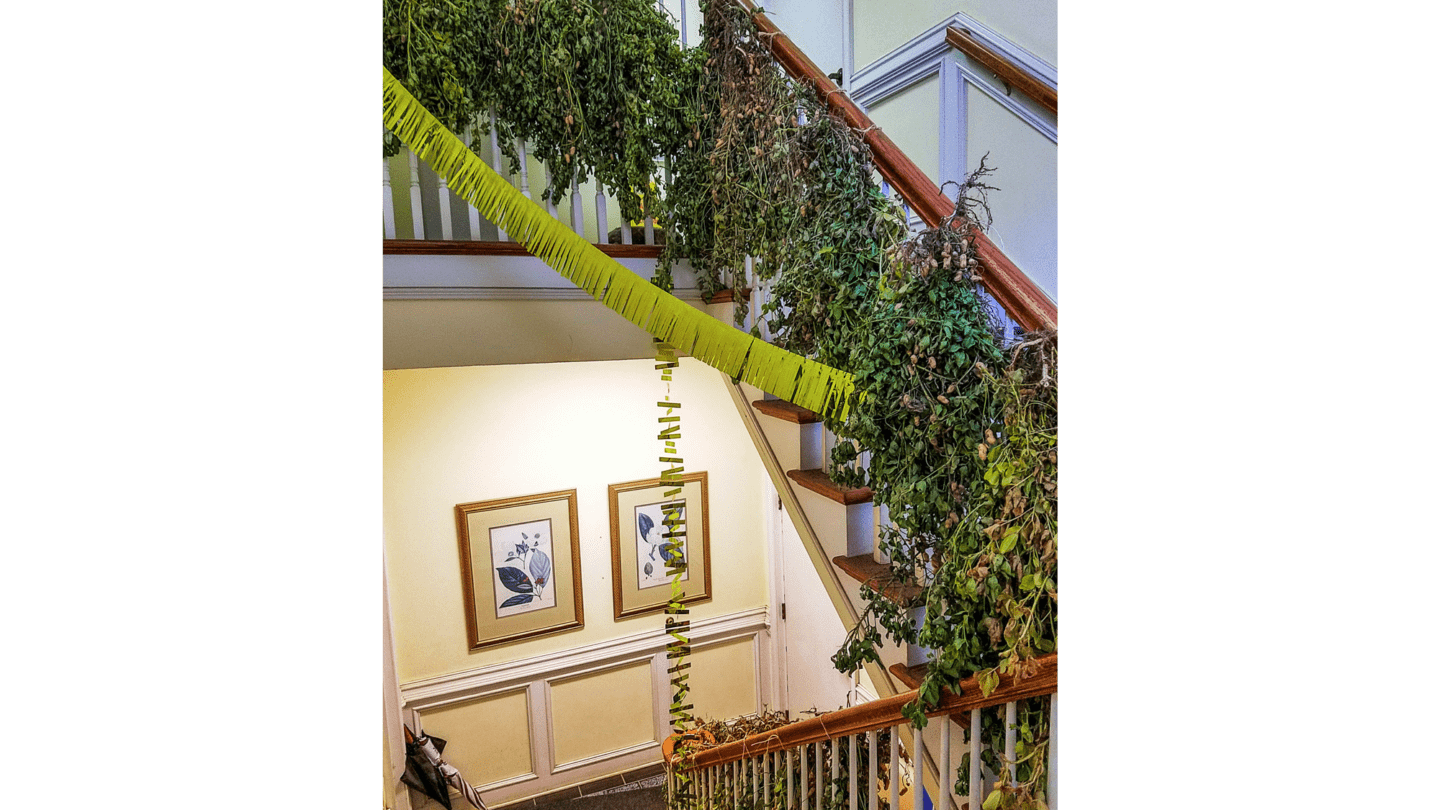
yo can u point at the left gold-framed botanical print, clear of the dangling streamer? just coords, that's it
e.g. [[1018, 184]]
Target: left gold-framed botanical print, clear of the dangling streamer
[[521, 567]]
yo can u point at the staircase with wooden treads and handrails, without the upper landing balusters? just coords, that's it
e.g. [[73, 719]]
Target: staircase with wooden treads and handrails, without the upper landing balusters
[[840, 527]]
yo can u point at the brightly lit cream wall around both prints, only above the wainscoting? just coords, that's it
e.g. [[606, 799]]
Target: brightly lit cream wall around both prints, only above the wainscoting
[[467, 435]]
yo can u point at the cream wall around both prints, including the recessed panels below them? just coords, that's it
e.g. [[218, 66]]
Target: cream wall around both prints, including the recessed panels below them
[[466, 435]]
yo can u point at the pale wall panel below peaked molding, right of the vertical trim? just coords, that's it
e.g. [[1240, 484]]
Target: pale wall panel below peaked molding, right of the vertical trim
[[1027, 208]]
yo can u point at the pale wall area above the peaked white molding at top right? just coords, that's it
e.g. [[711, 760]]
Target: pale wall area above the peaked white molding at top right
[[883, 25]]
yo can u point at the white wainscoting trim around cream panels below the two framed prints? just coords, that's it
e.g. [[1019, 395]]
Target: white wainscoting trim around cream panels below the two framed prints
[[536, 675]]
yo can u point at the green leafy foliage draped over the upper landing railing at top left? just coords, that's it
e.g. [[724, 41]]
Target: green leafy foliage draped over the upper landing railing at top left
[[594, 87]]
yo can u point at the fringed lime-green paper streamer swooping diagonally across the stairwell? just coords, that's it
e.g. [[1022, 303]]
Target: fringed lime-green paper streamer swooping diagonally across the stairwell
[[784, 374]]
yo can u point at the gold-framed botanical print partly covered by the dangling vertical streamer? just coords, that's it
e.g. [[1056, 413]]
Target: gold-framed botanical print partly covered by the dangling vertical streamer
[[640, 556]]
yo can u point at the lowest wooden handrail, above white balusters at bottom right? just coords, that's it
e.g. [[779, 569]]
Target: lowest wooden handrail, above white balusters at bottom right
[[883, 714]]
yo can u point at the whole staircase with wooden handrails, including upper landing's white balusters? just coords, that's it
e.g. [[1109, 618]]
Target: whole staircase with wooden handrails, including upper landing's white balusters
[[839, 525]]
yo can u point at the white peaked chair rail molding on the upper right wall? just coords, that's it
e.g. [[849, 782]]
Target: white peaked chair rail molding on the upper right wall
[[928, 54]]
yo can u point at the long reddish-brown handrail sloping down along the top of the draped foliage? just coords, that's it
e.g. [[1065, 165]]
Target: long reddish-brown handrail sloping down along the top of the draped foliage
[[1022, 298]]
